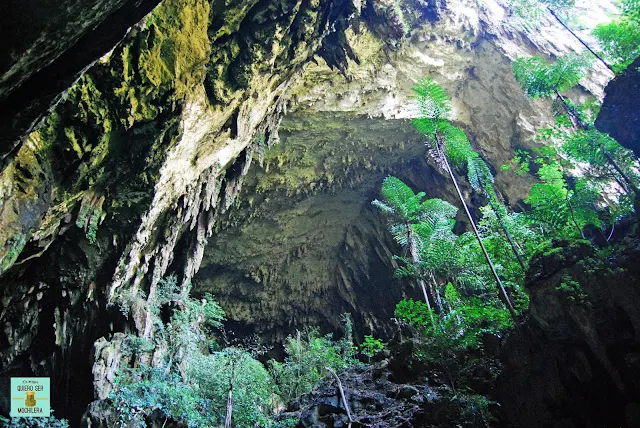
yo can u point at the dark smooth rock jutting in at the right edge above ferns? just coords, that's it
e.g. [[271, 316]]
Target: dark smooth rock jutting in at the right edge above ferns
[[619, 113]]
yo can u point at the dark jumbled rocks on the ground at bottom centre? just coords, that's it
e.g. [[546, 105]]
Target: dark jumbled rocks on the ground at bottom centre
[[378, 398]]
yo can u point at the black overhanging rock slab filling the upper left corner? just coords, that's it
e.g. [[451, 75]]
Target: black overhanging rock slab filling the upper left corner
[[46, 46]]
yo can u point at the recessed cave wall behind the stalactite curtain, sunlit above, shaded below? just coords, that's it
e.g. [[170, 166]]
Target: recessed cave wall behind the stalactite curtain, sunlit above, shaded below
[[303, 244]]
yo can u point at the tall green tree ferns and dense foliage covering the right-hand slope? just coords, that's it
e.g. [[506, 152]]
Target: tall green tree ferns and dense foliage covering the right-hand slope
[[587, 184]]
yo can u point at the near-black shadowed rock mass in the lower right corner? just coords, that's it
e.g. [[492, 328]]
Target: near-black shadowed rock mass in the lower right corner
[[578, 350]]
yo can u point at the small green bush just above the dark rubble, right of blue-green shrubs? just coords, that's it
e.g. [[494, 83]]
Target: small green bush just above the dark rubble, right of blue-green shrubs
[[308, 357]]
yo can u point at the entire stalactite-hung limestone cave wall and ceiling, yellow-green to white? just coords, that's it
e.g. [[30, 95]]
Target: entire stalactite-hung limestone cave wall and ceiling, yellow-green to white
[[136, 167]]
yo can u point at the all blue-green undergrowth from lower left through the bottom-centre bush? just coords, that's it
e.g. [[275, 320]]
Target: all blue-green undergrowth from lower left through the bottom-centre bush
[[191, 373]]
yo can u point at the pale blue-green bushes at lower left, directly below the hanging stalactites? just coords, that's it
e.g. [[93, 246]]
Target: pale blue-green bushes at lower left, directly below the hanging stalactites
[[184, 385]]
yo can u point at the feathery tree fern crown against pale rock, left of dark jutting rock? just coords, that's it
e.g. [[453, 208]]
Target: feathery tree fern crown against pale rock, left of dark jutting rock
[[541, 79]]
